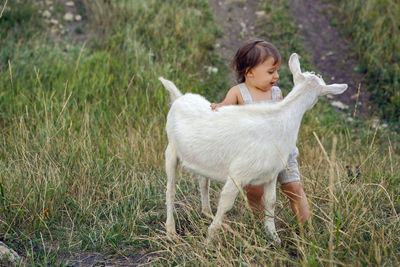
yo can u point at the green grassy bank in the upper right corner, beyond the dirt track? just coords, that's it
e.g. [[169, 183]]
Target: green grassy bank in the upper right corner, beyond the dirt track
[[374, 28]]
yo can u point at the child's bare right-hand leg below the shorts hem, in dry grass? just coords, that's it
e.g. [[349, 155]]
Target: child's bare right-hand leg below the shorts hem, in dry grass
[[298, 201]]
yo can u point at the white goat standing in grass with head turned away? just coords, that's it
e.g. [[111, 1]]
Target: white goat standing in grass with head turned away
[[237, 145]]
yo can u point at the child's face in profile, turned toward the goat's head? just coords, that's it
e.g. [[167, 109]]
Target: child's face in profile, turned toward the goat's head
[[264, 75]]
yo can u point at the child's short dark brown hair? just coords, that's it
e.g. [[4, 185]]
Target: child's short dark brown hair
[[251, 54]]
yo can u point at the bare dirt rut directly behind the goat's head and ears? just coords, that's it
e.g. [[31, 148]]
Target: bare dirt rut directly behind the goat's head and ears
[[330, 52]]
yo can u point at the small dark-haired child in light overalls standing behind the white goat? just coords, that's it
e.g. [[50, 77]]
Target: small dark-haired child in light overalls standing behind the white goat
[[256, 64]]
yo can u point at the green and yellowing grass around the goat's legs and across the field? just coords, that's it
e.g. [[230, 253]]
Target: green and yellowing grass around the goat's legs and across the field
[[82, 141]]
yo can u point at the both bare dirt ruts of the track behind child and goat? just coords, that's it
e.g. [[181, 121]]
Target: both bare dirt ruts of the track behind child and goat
[[329, 51]]
